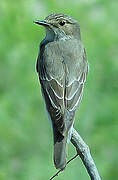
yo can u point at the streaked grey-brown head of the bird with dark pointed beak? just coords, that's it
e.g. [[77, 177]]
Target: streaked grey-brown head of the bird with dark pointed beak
[[61, 26]]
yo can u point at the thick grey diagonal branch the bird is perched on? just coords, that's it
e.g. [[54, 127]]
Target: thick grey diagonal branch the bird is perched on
[[84, 153]]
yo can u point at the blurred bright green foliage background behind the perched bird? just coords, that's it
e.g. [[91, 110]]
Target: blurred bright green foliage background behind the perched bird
[[26, 140]]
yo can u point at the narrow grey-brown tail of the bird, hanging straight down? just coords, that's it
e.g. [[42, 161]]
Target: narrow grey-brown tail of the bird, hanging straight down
[[60, 150]]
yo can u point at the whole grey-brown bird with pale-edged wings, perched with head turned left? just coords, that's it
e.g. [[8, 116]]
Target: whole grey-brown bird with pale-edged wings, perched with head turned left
[[62, 67]]
